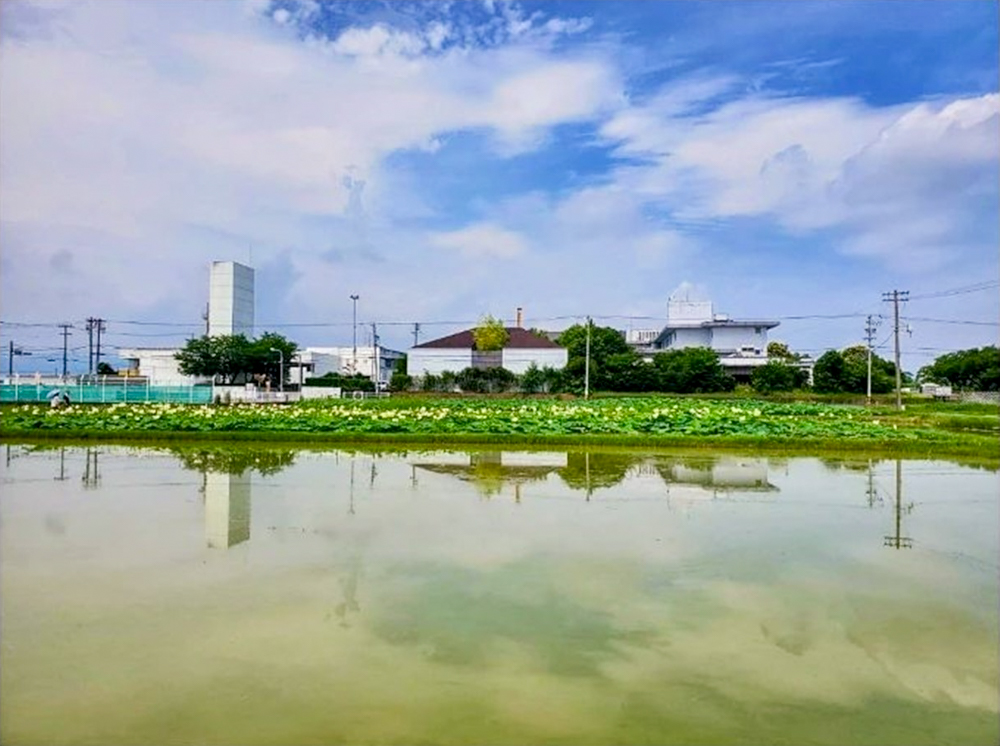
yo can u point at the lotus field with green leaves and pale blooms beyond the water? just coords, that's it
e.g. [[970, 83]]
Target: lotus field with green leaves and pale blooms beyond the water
[[502, 417]]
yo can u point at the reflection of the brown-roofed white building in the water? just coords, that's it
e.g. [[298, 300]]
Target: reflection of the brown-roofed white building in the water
[[490, 471]]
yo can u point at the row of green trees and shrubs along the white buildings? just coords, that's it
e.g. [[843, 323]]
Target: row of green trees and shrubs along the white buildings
[[614, 366]]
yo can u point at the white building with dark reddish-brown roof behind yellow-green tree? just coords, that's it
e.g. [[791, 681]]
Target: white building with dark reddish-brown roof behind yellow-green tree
[[457, 352]]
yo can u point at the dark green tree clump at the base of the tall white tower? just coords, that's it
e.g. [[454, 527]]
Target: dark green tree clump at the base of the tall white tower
[[233, 359]]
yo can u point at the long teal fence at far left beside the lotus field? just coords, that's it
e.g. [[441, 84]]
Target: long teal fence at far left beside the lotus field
[[105, 392]]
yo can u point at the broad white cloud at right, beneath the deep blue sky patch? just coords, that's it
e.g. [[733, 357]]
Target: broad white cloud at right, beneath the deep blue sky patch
[[895, 181]]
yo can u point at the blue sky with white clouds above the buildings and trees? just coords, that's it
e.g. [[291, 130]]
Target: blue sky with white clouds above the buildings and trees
[[443, 161]]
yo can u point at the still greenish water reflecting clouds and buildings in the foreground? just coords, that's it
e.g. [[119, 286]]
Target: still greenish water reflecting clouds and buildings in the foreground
[[293, 597]]
